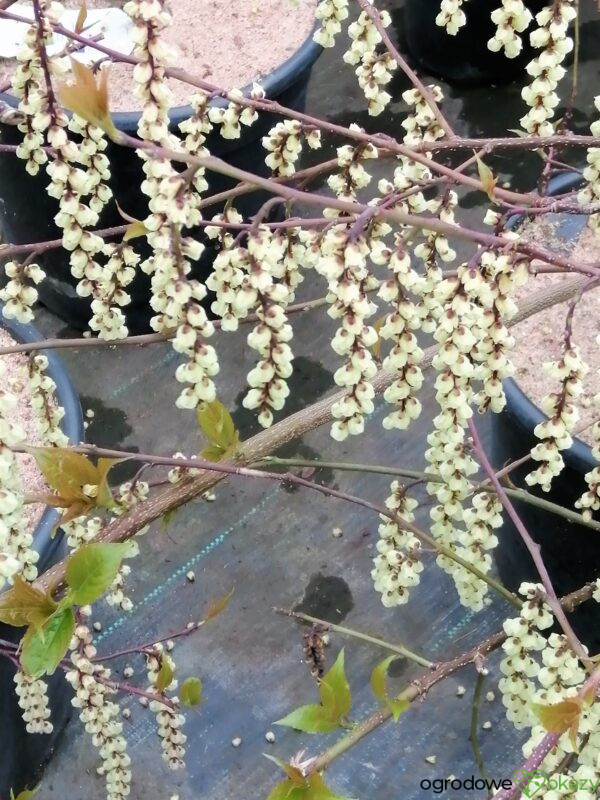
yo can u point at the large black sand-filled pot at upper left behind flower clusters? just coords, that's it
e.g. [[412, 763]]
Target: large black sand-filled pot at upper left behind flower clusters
[[27, 212]]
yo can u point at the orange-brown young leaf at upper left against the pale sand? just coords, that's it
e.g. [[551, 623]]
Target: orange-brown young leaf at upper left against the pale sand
[[88, 97]]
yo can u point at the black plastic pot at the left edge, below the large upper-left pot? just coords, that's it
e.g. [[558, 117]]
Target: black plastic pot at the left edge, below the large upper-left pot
[[23, 755]]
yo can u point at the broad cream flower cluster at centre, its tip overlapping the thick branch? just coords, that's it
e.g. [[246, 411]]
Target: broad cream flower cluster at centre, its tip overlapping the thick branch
[[344, 264]]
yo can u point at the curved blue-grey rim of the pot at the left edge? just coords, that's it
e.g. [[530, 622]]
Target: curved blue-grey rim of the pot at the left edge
[[71, 424]]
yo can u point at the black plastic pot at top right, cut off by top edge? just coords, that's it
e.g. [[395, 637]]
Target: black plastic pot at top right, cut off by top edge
[[465, 58]]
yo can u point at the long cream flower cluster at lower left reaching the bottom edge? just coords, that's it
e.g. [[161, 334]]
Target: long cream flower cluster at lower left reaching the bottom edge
[[99, 714]]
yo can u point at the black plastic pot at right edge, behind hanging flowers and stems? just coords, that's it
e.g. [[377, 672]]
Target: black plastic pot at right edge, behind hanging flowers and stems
[[571, 552]]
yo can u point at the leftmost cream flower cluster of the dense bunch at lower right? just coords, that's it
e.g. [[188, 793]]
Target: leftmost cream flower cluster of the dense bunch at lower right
[[518, 666]]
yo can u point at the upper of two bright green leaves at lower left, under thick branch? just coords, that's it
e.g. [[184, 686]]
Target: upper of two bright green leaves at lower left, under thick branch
[[92, 569]]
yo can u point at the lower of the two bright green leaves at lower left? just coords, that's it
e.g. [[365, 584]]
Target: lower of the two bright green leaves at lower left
[[43, 649]]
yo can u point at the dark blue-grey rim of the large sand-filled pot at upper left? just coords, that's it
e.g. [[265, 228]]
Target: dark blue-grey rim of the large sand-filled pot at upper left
[[274, 83]]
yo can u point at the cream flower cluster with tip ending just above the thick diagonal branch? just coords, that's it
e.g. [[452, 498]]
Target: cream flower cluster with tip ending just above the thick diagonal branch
[[270, 337]]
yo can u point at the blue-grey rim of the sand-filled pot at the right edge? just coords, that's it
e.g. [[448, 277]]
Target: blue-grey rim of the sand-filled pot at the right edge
[[579, 456]]
